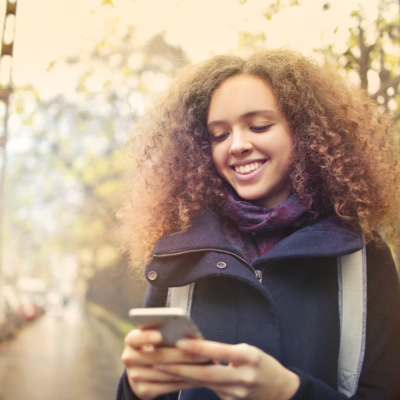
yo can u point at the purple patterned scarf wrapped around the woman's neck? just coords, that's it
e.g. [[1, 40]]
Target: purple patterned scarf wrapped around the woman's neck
[[255, 230]]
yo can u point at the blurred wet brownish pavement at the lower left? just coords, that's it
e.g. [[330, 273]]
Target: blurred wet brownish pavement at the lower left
[[68, 355]]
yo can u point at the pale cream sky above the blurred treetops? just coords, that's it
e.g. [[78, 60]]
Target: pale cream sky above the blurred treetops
[[48, 30]]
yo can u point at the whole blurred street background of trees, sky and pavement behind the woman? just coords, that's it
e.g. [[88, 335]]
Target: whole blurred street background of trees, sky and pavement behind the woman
[[75, 76]]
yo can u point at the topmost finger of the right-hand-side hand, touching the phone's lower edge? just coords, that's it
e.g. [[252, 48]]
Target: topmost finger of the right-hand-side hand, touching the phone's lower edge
[[237, 354]]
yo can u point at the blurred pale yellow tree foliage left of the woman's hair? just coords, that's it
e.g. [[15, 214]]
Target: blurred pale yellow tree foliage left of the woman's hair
[[66, 165]]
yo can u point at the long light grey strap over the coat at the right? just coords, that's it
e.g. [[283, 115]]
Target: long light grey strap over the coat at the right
[[352, 280]]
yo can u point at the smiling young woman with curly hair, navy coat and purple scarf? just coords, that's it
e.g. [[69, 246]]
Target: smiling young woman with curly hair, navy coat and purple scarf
[[251, 178]]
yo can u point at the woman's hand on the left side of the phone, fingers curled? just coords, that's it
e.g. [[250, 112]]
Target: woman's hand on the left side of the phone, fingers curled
[[141, 354]]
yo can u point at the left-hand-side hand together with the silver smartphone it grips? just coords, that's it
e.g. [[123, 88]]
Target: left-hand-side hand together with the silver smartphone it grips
[[146, 381]]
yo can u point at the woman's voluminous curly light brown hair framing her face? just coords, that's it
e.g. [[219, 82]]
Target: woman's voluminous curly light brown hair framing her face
[[343, 161]]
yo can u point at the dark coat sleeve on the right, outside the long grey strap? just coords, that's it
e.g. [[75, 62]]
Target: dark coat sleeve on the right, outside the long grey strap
[[379, 375]]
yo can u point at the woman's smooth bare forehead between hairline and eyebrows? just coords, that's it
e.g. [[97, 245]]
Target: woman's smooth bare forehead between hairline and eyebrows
[[239, 95]]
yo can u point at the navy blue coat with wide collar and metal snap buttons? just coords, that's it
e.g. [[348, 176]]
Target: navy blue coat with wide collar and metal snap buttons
[[293, 314]]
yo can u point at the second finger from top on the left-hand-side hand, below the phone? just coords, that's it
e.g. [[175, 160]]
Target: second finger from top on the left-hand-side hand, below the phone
[[161, 355]]
